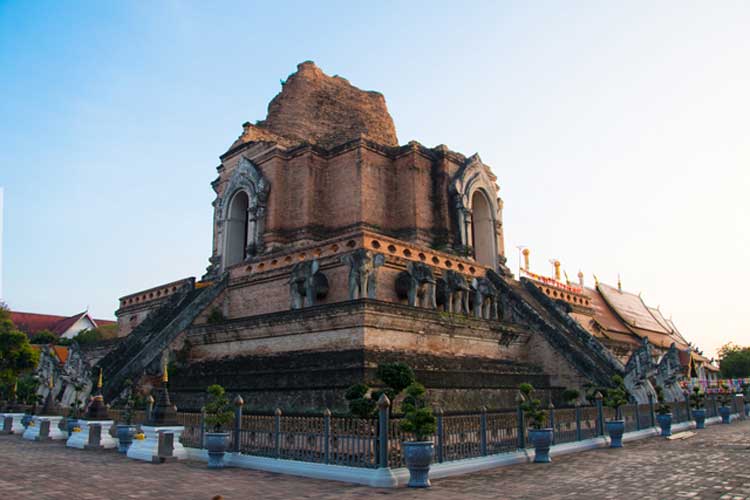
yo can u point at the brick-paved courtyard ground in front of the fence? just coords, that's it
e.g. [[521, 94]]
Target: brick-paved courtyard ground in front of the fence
[[713, 464]]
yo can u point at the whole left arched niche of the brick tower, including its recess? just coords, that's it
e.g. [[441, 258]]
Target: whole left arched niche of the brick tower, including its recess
[[246, 182]]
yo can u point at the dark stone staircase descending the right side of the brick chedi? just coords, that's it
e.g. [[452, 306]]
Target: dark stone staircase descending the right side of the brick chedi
[[546, 318]]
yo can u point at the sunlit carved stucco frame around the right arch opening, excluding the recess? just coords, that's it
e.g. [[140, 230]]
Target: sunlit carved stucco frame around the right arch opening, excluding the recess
[[471, 177]]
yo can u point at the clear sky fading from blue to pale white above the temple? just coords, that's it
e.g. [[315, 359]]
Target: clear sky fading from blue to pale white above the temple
[[618, 133]]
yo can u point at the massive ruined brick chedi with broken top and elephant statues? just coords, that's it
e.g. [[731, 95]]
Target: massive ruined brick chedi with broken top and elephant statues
[[336, 249]]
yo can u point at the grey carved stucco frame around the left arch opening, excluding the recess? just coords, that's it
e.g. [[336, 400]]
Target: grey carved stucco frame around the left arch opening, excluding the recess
[[248, 178]]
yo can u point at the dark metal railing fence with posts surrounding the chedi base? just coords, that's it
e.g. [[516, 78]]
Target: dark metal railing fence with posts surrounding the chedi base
[[377, 442]]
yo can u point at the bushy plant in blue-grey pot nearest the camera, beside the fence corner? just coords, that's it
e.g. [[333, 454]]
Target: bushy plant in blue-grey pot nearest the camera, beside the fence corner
[[419, 421]]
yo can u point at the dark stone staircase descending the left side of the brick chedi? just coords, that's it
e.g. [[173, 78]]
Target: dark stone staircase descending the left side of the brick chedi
[[148, 340]]
